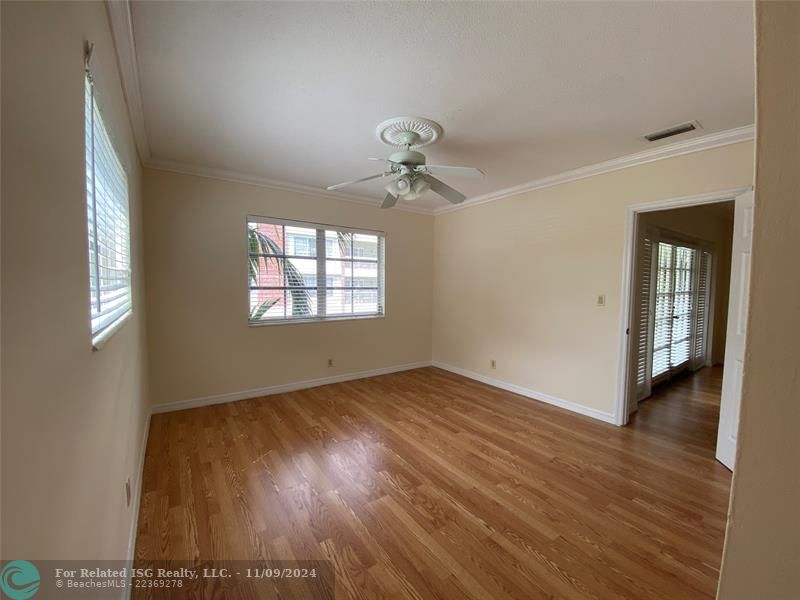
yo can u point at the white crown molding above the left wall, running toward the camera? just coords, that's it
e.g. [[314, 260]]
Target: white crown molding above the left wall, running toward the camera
[[119, 15]]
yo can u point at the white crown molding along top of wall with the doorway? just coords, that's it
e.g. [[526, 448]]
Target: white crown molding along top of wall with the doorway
[[698, 144]]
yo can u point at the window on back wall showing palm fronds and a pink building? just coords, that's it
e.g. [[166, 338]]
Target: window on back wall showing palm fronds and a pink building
[[308, 272]]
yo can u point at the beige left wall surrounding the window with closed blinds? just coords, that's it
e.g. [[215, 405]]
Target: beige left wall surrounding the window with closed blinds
[[72, 419]]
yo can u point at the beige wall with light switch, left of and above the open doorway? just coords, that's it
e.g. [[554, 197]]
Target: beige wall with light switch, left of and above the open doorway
[[516, 279]]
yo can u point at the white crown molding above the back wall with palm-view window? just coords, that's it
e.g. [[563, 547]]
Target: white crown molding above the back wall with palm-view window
[[274, 184]]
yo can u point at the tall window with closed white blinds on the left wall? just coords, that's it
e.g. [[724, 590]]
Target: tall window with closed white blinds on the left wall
[[108, 226]]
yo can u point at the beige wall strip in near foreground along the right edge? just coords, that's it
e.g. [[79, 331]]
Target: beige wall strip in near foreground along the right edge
[[762, 550]]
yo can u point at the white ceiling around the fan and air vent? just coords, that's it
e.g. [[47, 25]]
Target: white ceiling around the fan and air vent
[[292, 91]]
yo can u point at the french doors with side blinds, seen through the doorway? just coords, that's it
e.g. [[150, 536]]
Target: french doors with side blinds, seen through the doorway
[[674, 279]]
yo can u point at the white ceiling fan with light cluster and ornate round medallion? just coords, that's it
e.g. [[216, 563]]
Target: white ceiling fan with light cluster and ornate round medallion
[[412, 176]]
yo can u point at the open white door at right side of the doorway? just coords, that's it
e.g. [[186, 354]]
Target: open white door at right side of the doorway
[[736, 330]]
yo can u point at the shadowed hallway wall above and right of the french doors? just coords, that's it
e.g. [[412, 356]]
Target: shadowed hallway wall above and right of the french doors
[[711, 223]]
